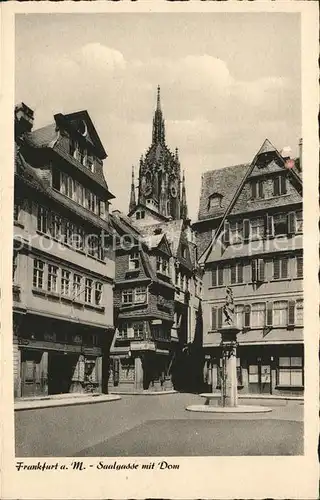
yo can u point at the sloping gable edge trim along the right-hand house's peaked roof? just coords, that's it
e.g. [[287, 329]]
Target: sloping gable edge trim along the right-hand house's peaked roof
[[266, 149]]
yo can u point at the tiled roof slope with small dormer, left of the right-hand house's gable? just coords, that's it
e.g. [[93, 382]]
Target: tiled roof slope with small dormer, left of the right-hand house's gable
[[224, 182]]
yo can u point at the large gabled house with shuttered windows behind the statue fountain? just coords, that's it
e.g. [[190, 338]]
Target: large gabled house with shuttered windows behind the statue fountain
[[250, 233]]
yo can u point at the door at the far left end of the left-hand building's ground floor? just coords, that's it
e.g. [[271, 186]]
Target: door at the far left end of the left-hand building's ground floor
[[30, 373]]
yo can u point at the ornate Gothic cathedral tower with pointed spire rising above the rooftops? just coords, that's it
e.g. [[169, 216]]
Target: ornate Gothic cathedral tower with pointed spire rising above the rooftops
[[160, 185]]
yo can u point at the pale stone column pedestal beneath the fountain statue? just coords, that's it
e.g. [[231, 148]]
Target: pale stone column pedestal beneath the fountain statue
[[229, 382]]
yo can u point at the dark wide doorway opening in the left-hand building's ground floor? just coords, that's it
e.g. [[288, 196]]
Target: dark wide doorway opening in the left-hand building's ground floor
[[60, 371]]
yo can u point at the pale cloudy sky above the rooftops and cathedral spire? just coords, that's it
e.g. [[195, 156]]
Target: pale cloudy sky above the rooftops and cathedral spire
[[228, 81]]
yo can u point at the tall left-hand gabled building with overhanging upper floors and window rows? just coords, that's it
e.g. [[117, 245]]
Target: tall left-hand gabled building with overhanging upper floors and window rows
[[63, 271]]
